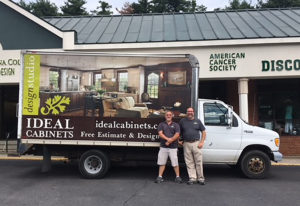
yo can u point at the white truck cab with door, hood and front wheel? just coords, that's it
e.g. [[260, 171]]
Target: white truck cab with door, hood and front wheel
[[232, 141]]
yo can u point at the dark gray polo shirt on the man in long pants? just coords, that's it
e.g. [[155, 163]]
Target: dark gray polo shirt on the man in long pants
[[190, 129]]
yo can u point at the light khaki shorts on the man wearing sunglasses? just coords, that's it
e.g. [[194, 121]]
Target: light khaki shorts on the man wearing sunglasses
[[163, 155]]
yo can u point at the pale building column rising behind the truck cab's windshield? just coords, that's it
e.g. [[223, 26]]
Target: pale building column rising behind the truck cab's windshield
[[243, 98]]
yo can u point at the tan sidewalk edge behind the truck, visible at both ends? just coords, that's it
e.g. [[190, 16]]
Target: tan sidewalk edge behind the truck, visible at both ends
[[287, 161]]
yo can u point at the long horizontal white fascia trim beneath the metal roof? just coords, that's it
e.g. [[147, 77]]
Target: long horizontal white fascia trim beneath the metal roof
[[185, 44]]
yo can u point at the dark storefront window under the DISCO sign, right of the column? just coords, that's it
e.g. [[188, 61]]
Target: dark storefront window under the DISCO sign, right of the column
[[279, 105]]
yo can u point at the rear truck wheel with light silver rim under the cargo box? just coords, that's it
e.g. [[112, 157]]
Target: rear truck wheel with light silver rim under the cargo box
[[93, 164]]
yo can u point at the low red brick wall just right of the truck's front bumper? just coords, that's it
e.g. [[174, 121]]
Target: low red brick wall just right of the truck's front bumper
[[290, 145]]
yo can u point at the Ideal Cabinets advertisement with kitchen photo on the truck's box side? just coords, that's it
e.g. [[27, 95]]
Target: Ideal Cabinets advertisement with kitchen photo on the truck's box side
[[102, 97]]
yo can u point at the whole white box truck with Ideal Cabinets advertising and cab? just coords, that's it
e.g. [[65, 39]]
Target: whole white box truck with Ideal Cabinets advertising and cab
[[100, 108]]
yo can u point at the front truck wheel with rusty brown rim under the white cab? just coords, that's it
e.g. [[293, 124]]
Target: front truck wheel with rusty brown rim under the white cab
[[255, 164]]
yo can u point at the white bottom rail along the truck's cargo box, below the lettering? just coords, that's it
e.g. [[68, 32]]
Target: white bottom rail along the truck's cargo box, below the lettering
[[91, 143]]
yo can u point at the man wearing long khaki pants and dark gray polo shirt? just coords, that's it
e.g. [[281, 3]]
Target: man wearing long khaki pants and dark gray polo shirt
[[192, 144]]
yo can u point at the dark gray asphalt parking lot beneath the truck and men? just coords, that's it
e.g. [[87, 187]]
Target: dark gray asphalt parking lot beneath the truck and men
[[23, 184]]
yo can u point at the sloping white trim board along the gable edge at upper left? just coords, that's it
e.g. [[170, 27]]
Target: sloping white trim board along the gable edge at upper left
[[32, 17]]
